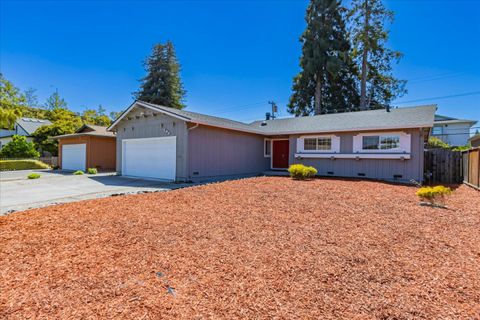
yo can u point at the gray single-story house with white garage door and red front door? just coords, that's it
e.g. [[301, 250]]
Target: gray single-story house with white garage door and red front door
[[164, 143]]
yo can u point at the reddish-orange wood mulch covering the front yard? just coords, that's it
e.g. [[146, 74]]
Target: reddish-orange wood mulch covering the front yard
[[254, 248]]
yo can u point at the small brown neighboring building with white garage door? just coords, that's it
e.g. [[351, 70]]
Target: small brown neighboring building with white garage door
[[89, 147]]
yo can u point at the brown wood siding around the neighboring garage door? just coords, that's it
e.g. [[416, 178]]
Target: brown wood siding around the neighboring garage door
[[100, 151]]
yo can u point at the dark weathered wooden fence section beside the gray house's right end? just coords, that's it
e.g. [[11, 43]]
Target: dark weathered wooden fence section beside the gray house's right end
[[443, 166]]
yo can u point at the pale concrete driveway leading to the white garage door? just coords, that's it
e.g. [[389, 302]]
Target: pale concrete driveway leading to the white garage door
[[17, 193]]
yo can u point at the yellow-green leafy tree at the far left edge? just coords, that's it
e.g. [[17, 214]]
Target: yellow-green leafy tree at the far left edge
[[11, 103]]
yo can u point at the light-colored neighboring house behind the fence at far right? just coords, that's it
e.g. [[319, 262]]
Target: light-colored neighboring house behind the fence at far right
[[453, 131]]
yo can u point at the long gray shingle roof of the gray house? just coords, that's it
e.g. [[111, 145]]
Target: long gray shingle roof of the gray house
[[400, 118]]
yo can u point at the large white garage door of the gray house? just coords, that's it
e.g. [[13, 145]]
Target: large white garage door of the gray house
[[149, 157]]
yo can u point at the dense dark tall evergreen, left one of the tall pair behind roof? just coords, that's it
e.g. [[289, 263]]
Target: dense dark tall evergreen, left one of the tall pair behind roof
[[325, 83]]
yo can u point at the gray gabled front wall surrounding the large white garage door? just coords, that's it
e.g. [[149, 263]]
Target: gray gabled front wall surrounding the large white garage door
[[154, 126]]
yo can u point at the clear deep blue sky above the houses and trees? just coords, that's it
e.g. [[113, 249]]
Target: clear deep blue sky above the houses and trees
[[235, 55]]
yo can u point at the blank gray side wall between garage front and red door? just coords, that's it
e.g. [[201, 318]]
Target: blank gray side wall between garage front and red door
[[218, 152]]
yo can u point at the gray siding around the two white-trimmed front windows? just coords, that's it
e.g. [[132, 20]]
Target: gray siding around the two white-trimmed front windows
[[383, 169]]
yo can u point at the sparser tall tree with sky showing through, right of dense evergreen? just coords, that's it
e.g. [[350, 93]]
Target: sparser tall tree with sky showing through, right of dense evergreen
[[378, 86]]
